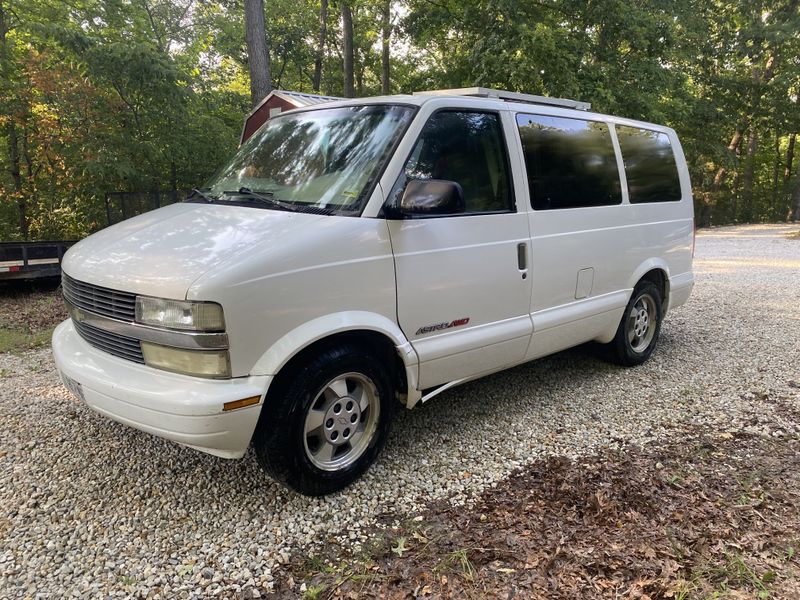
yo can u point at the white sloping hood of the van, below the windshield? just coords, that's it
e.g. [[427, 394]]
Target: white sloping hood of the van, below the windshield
[[160, 253]]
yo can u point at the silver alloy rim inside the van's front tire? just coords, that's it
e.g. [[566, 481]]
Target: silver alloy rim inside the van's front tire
[[341, 421]]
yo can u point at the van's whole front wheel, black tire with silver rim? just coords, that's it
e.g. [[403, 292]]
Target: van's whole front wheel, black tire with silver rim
[[282, 446]]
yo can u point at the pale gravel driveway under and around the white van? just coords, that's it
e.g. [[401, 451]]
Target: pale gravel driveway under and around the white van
[[89, 507]]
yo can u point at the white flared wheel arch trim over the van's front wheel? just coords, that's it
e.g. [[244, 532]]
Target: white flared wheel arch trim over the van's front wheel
[[282, 351]]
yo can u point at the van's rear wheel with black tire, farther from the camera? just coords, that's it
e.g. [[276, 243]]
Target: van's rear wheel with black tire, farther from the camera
[[622, 350]]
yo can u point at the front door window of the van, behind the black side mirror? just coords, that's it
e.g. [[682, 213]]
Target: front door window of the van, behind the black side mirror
[[468, 148]]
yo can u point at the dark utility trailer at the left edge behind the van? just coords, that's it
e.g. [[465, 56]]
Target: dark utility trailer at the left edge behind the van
[[31, 260]]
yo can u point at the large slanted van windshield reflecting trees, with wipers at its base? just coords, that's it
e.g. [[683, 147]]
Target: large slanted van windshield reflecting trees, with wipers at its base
[[324, 158]]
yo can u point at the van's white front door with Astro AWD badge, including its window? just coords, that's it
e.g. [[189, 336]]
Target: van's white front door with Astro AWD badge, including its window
[[463, 291]]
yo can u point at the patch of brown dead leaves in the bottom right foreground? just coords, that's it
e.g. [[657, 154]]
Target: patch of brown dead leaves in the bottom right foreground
[[700, 516]]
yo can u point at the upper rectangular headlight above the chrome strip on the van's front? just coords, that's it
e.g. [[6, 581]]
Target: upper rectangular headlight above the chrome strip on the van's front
[[179, 314]]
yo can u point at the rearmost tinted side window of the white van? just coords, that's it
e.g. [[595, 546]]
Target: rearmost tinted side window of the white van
[[649, 165]]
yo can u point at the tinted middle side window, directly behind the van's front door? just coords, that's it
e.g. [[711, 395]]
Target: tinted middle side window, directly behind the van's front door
[[570, 162]]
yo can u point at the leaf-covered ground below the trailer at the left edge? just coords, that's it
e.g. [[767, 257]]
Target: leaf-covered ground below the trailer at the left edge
[[31, 308]]
